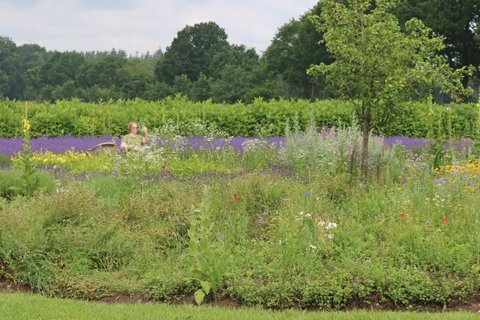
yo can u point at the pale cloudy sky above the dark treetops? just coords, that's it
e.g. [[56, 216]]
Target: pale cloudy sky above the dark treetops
[[141, 26]]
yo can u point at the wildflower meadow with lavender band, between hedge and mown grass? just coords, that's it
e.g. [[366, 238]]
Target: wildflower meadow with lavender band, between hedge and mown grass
[[282, 222]]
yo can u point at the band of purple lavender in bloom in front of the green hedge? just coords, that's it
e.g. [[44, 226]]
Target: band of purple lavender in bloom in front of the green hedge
[[62, 144]]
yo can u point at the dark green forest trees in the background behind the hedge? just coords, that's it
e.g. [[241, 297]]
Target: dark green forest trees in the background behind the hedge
[[201, 64]]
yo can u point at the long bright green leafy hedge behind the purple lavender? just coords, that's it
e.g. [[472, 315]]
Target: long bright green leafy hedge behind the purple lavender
[[111, 118]]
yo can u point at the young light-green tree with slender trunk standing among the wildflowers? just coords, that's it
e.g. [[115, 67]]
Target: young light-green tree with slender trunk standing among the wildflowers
[[376, 64]]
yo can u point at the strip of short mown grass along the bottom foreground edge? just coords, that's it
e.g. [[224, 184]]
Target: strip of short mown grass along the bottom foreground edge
[[24, 306]]
